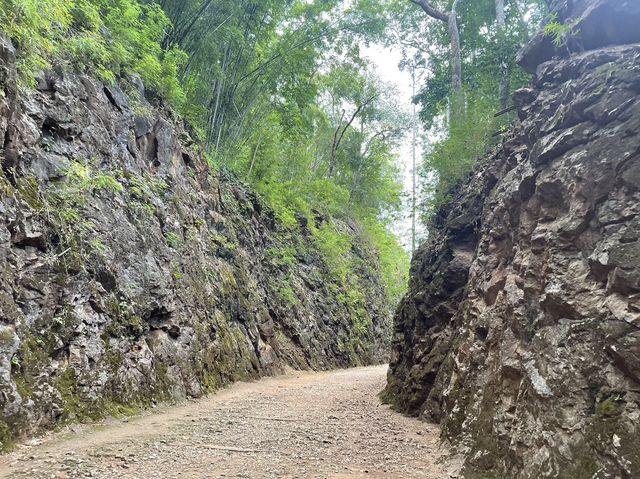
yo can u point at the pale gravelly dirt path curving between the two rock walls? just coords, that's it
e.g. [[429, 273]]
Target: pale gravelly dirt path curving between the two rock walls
[[304, 425]]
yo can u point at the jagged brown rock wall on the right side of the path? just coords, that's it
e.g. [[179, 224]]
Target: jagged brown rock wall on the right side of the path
[[520, 331]]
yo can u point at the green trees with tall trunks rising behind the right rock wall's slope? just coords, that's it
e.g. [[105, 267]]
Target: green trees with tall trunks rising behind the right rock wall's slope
[[463, 126]]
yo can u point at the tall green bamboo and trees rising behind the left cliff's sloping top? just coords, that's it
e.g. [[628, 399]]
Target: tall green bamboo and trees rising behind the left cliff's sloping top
[[271, 118]]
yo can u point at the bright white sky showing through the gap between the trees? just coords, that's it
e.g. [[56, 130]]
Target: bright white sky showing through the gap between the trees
[[386, 61]]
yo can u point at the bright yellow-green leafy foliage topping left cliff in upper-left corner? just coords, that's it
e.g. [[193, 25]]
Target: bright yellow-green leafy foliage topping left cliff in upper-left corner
[[105, 37]]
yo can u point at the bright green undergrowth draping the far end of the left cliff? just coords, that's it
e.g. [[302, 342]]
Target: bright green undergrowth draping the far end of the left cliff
[[361, 263]]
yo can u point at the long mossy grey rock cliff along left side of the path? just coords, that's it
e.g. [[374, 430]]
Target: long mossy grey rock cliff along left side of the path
[[131, 274]]
